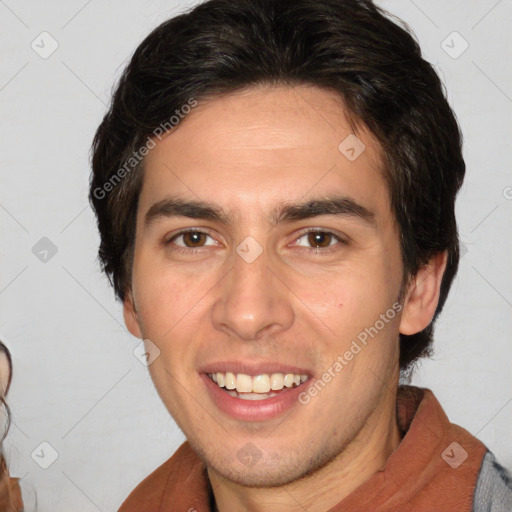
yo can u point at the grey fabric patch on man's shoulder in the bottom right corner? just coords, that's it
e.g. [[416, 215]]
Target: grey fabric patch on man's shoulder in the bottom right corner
[[493, 491]]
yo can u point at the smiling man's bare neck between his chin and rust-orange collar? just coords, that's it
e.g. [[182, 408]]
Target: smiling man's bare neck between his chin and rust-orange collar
[[366, 454]]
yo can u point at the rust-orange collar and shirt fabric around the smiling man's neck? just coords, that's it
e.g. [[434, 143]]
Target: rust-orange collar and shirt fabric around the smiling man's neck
[[435, 468]]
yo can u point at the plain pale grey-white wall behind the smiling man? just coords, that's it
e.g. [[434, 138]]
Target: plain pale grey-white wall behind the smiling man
[[77, 384]]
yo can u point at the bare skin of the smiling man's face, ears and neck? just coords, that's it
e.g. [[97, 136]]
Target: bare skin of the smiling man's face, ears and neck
[[249, 153]]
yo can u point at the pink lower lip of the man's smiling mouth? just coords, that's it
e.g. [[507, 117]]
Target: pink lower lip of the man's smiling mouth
[[253, 410]]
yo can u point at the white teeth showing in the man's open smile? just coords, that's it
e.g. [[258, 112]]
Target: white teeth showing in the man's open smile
[[258, 387]]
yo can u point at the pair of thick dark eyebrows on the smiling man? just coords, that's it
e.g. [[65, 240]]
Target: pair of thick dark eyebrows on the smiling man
[[285, 213]]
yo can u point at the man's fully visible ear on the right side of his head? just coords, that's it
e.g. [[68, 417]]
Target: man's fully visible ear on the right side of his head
[[422, 295]]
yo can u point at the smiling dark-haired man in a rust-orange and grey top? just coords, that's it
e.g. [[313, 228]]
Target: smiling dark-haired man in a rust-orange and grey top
[[274, 185]]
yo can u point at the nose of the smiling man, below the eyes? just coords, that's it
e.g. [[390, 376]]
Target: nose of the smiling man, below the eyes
[[253, 301]]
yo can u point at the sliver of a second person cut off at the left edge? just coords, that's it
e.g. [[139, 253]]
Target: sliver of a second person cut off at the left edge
[[10, 493]]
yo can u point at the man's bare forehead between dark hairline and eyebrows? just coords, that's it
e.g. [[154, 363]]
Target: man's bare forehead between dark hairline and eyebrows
[[261, 146]]
